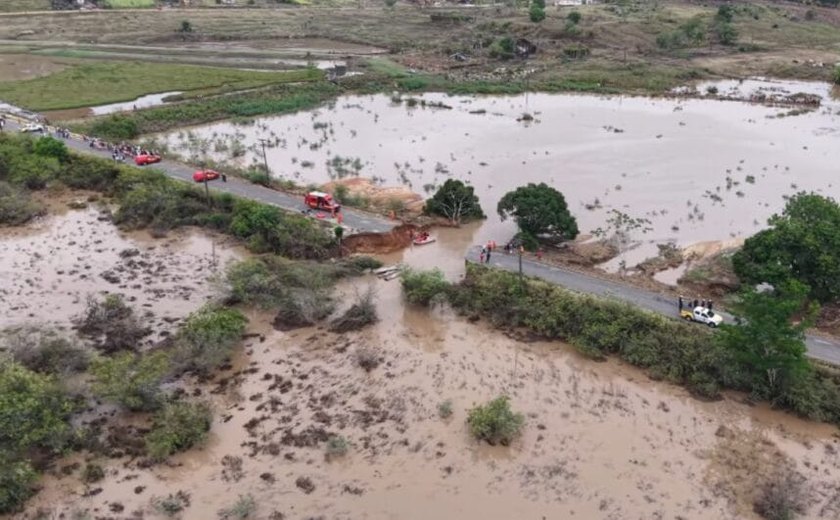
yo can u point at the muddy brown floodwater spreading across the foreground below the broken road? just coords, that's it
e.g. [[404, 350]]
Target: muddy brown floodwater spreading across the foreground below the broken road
[[601, 441]]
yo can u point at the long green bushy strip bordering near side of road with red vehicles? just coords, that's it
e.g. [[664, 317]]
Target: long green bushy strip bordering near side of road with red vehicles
[[149, 199]]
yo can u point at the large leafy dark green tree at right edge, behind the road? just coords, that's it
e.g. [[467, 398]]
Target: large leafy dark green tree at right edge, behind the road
[[802, 243]]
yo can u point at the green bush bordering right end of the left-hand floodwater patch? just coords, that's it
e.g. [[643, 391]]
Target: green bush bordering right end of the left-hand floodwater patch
[[208, 336]]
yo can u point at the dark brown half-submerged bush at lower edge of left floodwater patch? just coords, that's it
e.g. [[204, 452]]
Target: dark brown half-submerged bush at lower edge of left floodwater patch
[[111, 324]]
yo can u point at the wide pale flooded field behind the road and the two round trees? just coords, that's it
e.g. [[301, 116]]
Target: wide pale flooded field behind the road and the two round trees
[[698, 169]]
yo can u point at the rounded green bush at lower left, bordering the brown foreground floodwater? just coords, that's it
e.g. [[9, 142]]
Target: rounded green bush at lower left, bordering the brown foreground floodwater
[[178, 426]]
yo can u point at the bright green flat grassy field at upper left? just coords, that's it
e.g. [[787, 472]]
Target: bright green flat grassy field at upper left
[[97, 83]]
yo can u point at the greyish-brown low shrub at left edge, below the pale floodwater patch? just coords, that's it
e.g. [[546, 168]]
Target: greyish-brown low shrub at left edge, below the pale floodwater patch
[[45, 351]]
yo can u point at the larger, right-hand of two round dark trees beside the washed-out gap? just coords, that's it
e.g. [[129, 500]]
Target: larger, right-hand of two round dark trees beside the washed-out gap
[[539, 209]]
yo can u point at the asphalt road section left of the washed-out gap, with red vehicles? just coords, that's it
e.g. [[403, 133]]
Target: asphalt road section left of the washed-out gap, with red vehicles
[[357, 221]]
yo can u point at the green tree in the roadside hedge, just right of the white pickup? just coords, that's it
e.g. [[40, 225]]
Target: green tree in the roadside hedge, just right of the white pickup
[[766, 345]]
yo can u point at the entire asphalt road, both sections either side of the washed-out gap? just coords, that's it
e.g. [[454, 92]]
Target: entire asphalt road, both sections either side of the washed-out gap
[[818, 348]]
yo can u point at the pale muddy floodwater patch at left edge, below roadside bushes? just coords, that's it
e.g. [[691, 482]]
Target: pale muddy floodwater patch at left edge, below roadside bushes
[[50, 268]]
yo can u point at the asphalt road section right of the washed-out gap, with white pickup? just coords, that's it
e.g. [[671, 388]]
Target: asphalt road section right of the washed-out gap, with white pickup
[[818, 348]]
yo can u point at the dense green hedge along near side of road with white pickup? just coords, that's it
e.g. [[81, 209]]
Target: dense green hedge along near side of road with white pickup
[[762, 355]]
